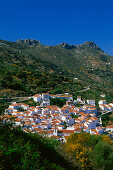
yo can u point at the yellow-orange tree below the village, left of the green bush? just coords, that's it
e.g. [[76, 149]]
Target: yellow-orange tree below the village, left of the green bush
[[75, 148]]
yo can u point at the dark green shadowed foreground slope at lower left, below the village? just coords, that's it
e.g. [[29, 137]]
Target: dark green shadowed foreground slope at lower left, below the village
[[19, 150]]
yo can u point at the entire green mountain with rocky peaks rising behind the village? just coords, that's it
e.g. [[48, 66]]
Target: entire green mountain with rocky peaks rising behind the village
[[54, 68]]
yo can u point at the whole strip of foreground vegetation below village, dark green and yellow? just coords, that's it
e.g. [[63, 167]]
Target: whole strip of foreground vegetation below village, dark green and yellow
[[19, 150]]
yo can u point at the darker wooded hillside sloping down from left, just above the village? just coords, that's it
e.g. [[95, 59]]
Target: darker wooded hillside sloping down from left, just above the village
[[23, 74]]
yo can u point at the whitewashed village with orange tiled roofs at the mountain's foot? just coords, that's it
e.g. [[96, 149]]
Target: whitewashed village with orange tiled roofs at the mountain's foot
[[59, 123]]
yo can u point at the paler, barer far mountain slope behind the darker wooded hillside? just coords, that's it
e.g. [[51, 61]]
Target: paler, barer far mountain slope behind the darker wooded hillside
[[86, 61]]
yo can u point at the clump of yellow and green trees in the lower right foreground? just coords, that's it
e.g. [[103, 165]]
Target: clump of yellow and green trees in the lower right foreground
[[90, 151]]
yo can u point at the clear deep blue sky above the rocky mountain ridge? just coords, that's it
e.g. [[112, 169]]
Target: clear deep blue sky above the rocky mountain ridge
[[55, 21]]
